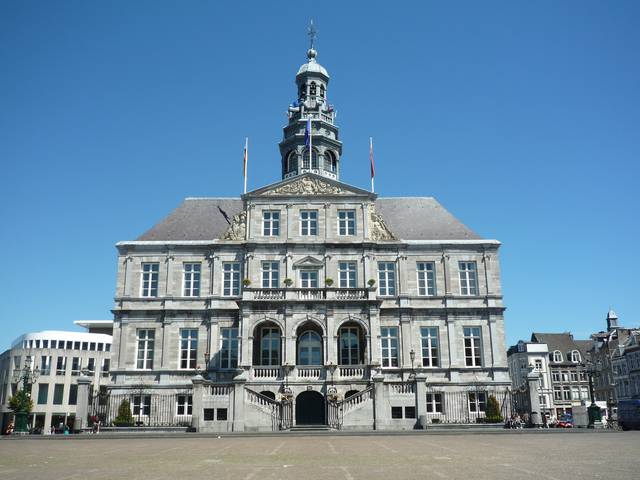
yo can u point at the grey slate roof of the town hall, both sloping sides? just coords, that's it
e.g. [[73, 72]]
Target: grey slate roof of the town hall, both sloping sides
[[418, 218]]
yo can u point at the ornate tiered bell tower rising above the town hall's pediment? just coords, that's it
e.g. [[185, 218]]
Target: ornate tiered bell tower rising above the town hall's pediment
[[310, 142]]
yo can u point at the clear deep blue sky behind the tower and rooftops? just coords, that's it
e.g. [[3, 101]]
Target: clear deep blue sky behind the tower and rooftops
[[522, 118]]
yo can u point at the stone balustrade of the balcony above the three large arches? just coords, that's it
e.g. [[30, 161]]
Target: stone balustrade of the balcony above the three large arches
[[308, 294]]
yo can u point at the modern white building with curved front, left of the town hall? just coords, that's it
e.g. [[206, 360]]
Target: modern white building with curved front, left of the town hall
[[57, 358]]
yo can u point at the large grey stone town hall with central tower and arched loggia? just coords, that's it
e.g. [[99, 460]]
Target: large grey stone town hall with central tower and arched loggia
[[308, 302]]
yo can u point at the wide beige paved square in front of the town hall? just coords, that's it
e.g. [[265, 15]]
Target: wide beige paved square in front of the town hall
[[547, 456]]
